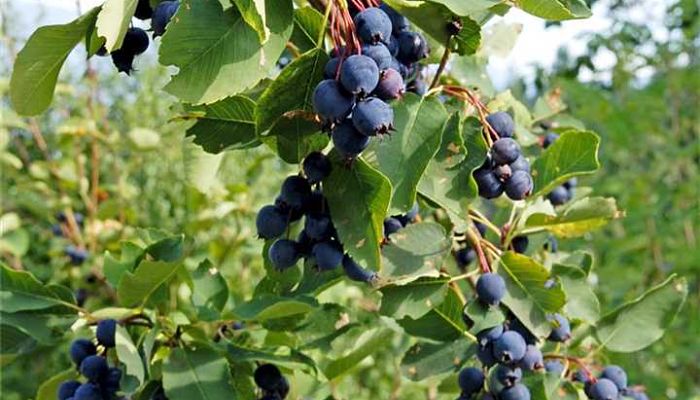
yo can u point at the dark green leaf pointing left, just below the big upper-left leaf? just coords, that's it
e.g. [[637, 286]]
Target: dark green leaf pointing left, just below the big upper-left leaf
[[225, 124]]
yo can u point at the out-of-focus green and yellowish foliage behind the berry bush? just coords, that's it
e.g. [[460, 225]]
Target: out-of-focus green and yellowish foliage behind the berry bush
[[149, 176]]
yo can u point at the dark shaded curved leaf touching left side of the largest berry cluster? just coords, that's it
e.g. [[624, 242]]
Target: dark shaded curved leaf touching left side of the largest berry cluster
[[292, 91]]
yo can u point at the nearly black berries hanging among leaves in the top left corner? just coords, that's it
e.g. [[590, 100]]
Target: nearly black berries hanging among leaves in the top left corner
[[136, 39]]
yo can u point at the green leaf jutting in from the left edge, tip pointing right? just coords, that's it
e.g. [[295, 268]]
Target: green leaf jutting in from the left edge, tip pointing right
[[21, 291]]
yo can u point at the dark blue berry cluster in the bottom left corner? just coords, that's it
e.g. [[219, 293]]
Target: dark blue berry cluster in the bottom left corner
[[102, 381]]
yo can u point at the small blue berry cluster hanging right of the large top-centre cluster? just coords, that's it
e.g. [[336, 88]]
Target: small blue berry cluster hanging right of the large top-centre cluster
[[505, 168]]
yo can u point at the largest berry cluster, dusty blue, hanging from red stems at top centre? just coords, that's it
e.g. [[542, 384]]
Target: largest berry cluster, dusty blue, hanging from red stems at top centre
[[352, 98]]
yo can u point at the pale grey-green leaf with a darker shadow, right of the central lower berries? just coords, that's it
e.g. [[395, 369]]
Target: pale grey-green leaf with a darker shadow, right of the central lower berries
[[415, 251]]
